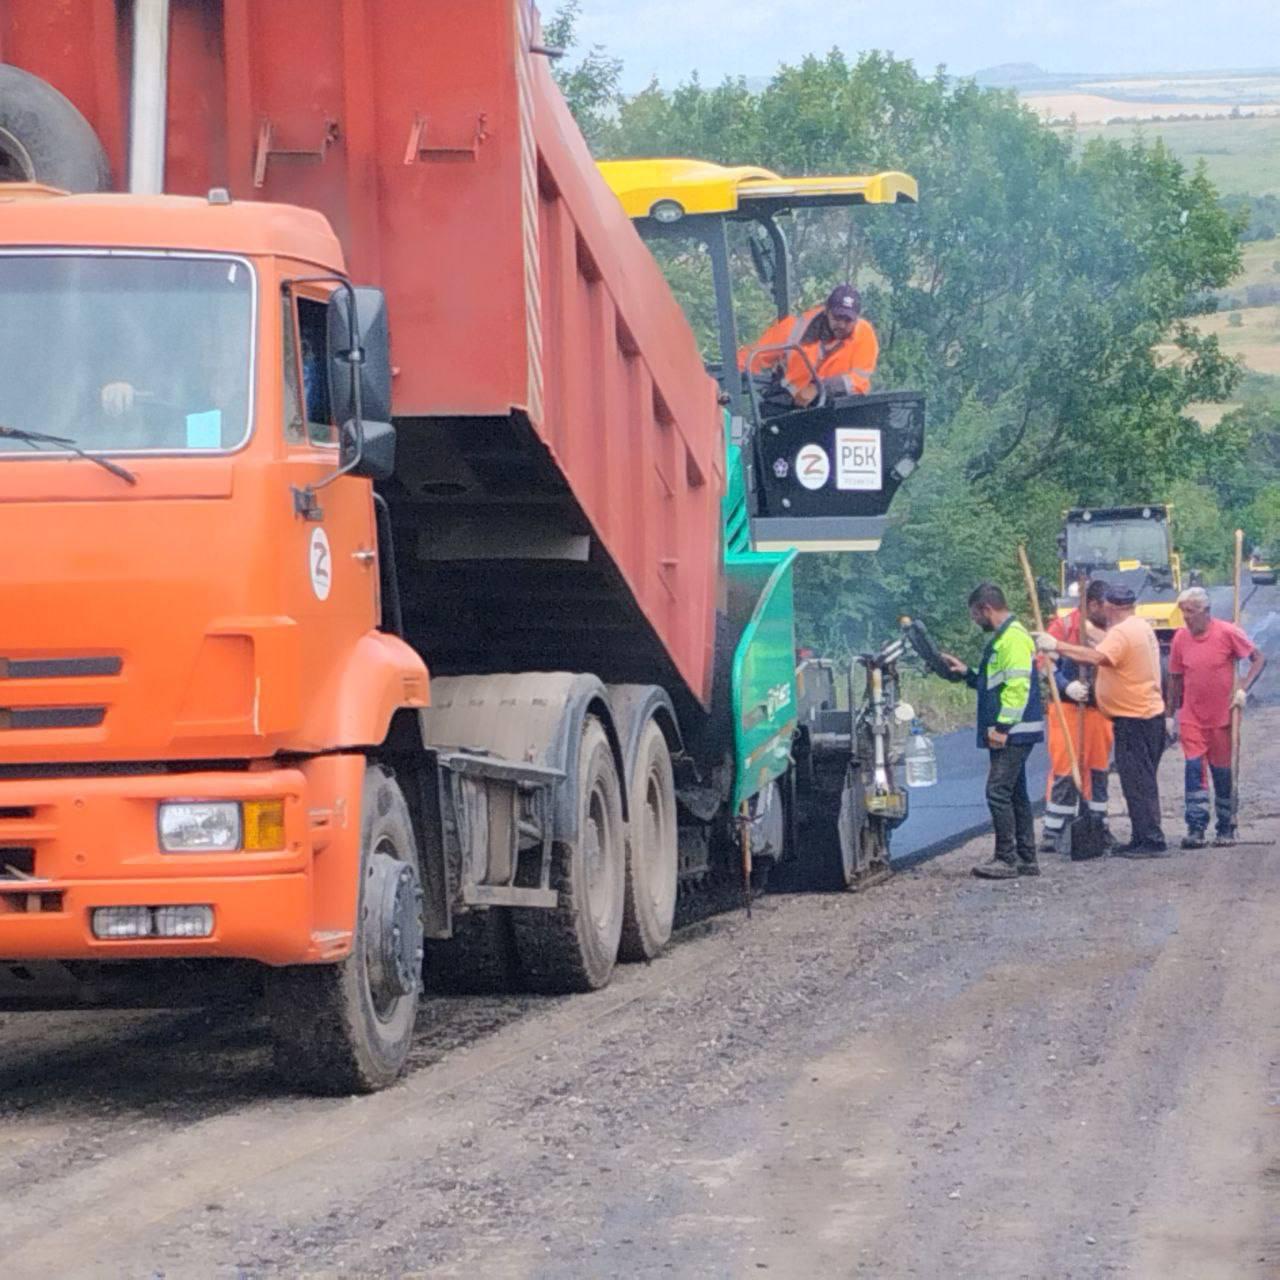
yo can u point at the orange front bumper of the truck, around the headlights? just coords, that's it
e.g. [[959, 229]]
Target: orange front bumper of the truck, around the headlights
[[79, 844]]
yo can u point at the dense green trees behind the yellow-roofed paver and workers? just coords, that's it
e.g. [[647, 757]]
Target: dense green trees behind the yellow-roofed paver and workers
[[1040, 296]]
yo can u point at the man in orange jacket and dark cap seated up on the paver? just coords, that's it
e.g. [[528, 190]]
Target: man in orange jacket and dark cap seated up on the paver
[[840, 345]]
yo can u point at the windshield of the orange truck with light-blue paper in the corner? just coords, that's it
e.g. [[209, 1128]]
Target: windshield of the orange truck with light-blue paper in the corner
[[127, 353]]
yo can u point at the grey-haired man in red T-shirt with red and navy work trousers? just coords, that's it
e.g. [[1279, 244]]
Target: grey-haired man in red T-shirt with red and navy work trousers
[[1203, 694]]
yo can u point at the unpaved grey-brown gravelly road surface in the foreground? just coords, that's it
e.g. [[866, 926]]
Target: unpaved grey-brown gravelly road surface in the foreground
[[1077, 1076]]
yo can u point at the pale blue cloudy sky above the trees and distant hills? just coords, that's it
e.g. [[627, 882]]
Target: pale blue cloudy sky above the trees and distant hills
[[670, 39]]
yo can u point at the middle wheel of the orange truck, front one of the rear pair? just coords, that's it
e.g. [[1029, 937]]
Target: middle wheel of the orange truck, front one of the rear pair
[[575, 945]]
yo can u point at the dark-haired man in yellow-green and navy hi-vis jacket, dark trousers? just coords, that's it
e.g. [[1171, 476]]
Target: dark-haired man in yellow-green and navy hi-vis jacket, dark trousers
[[1011, 723]]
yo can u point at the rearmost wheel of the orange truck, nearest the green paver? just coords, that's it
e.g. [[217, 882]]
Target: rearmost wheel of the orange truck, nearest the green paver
[[650, 907]]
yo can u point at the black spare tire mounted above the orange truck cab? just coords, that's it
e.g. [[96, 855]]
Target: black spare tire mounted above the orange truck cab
[[44, 139]]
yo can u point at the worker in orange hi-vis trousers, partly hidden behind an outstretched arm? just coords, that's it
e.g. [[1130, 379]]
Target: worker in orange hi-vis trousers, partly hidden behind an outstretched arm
[[1092, 739]]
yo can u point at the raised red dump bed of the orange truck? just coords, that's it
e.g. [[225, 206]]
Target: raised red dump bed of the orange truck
[[561, 442]]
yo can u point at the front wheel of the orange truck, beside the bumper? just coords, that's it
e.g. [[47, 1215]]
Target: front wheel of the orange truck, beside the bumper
[[348, 1028]]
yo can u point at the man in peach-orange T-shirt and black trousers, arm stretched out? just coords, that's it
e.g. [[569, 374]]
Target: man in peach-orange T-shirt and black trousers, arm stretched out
[[1128, 691]]
